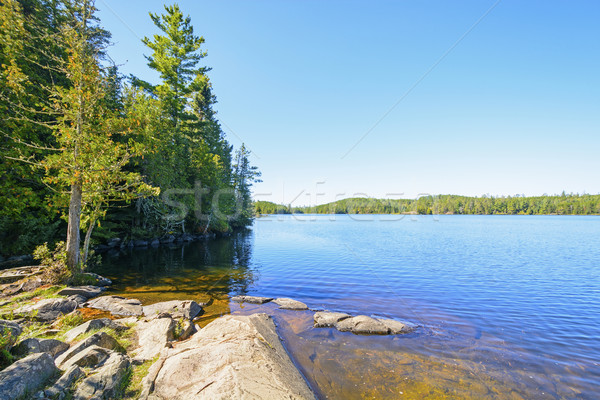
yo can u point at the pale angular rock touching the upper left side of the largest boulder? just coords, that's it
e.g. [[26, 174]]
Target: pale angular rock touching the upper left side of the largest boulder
[[153, 336]]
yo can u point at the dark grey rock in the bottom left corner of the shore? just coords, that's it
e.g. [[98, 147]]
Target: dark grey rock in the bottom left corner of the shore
[[26, 375]]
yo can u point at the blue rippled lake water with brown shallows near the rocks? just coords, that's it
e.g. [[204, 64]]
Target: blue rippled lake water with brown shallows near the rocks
[[508, 306]]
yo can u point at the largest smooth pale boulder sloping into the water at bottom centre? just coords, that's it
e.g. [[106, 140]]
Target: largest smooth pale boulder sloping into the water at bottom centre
[[232, 357]]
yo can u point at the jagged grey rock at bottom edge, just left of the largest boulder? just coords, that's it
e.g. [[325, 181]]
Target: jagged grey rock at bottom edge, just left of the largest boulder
[[106, 381]]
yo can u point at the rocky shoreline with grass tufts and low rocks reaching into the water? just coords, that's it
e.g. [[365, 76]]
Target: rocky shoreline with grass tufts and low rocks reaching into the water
[[62, 352]]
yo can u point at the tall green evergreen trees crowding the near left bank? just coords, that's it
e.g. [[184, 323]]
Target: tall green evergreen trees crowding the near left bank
[[87, 154]]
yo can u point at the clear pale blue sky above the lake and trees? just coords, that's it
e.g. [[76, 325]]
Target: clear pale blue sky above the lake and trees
[[396, 98]]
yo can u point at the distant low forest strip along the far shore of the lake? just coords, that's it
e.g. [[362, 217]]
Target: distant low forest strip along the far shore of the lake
[[564, 204]]
